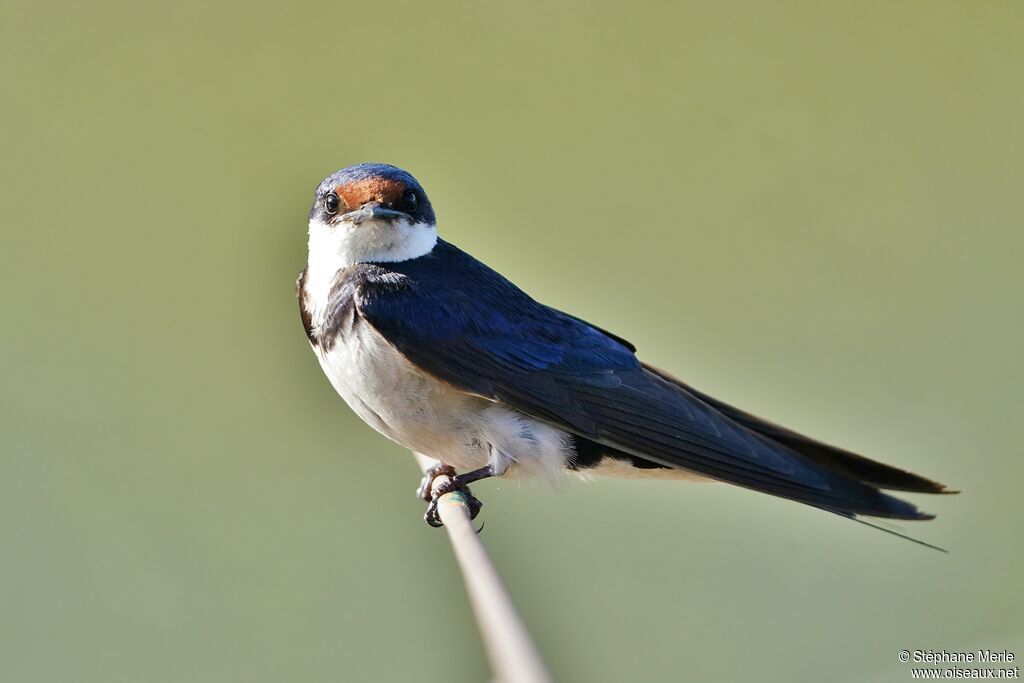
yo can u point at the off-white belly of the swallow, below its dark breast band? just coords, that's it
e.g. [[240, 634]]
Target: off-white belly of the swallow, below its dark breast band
[[426, 415]]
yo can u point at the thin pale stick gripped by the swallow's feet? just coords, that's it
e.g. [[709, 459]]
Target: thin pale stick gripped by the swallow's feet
[[514, 656]]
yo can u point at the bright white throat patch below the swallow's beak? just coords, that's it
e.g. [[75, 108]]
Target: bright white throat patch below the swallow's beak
[[335, 247]]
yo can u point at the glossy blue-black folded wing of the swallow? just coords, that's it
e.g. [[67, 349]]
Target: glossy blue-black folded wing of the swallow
[[467, 326]]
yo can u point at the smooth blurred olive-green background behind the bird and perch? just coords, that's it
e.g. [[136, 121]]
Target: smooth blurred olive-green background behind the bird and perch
[[813, 210]]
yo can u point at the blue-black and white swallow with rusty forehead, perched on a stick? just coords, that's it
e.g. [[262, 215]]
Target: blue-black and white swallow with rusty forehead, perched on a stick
[[445, 357]]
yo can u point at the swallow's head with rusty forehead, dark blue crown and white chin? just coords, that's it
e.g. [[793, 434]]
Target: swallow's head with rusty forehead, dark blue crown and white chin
[[368, 214]]
